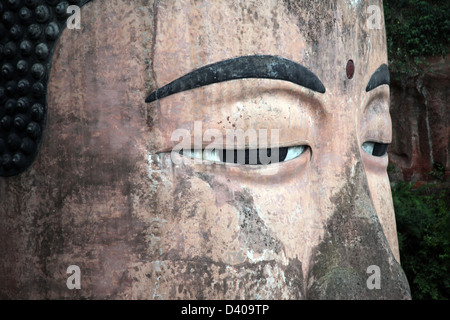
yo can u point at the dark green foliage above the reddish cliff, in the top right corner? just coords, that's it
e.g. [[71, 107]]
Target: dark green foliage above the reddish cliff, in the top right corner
[[416, 29]]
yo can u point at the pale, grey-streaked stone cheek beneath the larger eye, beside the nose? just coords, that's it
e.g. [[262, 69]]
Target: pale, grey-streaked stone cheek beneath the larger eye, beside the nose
[[232, 220]]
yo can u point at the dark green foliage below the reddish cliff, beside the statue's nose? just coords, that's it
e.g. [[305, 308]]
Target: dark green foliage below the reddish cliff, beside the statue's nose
[[423, 225]]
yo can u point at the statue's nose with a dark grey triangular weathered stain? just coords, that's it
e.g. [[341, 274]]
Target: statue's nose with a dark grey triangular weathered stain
[[353, 259]]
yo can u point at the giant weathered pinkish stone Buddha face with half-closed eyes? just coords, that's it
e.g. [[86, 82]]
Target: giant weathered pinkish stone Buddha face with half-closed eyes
[[107, 194]]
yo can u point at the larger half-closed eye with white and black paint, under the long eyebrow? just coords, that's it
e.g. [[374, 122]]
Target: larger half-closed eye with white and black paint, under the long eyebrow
[[247, 156]]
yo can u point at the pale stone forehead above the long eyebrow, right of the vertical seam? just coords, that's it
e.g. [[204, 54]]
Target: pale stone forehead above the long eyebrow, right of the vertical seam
[[321, 36]]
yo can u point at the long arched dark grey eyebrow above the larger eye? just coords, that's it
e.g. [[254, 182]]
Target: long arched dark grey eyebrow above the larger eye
[[257, 66]]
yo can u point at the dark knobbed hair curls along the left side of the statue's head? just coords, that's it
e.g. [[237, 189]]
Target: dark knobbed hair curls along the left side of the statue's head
[[28, 31]]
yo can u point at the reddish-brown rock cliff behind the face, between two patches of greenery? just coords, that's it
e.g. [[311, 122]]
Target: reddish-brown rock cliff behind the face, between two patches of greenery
[[421, 122]]
